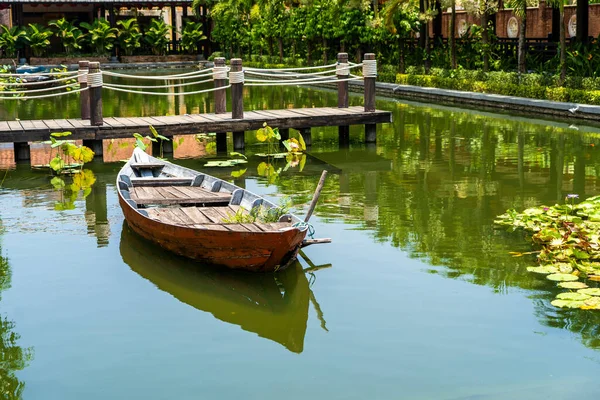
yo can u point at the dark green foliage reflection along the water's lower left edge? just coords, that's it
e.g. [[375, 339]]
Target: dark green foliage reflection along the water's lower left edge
[[12, 357]]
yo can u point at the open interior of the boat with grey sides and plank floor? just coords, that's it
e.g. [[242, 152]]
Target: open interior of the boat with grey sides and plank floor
[[179, 196]]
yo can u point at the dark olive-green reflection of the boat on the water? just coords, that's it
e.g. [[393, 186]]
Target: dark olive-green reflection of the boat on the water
[[274, 306]]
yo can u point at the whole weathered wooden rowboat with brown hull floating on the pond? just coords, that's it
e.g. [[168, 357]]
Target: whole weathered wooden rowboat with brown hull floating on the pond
[[184, 211]]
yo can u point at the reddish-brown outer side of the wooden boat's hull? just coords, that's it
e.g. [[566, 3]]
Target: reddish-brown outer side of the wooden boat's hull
[[251, 251]]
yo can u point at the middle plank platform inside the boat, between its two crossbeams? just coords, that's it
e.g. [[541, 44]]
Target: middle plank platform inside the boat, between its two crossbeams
[[165, 195]]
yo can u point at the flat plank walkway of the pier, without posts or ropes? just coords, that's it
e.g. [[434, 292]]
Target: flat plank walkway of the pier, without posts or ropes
[[120, 127]]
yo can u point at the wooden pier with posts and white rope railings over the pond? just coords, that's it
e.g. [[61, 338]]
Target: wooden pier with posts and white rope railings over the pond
[[93, 127]]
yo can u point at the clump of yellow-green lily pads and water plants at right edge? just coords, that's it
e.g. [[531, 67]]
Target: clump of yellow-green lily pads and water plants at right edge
[[567, 241]]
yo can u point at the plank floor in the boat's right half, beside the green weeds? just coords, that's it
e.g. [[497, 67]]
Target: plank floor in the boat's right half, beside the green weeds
[[211, 218]]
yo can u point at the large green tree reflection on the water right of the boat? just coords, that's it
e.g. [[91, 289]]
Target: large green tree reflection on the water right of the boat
[[450, 175]]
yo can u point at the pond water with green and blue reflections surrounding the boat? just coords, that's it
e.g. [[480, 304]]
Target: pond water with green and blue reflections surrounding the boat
[[416, 298]]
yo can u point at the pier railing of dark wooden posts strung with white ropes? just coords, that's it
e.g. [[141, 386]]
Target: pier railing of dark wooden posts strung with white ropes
[[89, 82]]
